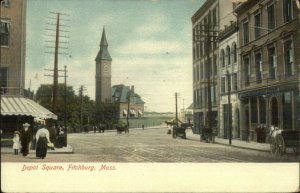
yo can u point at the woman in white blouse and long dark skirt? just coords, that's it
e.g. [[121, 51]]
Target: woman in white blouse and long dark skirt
[[42, 138]]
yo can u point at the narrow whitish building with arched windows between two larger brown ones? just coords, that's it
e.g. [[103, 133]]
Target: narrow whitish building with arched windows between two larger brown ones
[[228, 81]]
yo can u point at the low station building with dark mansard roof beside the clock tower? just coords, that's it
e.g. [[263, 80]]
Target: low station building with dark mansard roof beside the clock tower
[[129, 103]]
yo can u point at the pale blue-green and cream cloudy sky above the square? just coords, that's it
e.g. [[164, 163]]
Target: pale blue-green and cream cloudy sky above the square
[[150, 42]]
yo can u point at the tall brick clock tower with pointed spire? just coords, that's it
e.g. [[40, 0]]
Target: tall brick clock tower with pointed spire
[[103, 72]]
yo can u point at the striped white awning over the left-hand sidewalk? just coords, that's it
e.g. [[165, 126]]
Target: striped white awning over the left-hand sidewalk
[[23, 106]]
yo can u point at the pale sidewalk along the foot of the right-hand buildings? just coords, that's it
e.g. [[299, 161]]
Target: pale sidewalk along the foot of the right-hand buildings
[[234, 142]]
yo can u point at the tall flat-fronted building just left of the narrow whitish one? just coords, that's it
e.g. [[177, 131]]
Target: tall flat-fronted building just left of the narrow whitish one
[[207, 21]]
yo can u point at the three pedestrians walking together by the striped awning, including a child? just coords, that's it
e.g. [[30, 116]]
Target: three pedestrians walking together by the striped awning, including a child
[[21, 140]]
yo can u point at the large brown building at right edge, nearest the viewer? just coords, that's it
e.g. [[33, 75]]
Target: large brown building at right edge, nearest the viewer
[[269, 87]]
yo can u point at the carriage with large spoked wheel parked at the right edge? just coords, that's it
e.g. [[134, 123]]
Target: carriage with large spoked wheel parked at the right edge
[[280, 140]]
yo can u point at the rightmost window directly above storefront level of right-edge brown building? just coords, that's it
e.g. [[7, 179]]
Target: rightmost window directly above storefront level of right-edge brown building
[[288, 58]]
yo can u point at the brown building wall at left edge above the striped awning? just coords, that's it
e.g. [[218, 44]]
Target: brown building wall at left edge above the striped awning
[[13, 47]]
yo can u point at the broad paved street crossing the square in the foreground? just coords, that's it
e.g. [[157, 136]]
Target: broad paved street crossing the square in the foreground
[[149, 145]]
